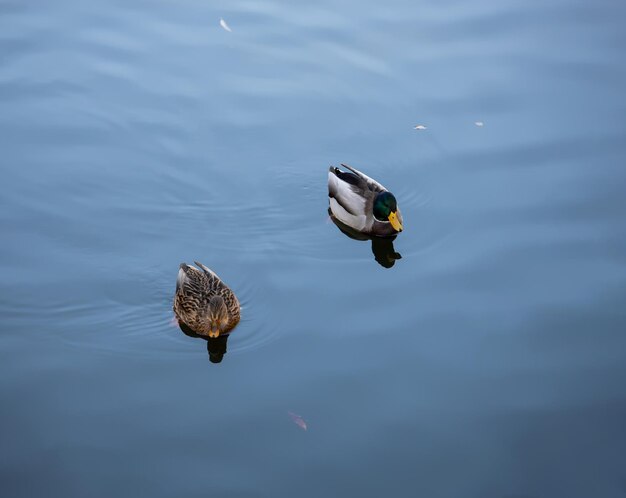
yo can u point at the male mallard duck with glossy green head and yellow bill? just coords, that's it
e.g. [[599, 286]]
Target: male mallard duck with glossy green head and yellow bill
[[363, 204]]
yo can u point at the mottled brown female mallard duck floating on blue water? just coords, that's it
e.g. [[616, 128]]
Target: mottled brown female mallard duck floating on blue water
[[203, 303]]
